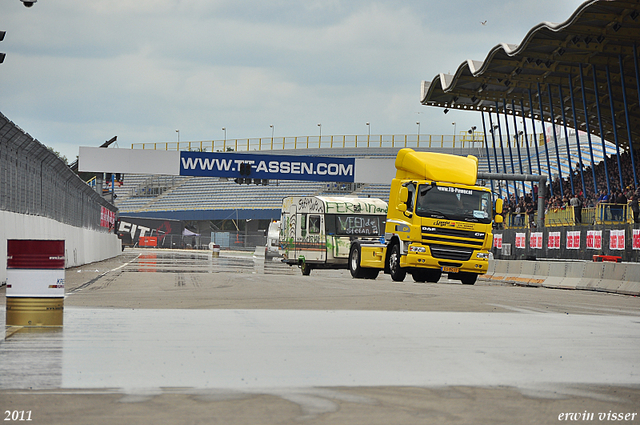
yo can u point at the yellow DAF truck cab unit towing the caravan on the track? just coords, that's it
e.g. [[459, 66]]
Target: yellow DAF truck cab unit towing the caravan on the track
[[438, 221]]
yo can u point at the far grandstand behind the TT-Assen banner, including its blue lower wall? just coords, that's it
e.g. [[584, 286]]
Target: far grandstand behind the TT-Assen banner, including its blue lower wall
[[215, 199]]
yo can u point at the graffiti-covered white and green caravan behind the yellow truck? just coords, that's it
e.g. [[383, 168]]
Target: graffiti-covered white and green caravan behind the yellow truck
[[316, 232]]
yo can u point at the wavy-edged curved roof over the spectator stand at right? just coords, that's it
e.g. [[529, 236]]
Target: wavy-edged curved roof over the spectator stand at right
[[553, 71]]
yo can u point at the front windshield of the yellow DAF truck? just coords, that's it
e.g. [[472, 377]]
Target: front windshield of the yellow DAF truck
[[453, 203]]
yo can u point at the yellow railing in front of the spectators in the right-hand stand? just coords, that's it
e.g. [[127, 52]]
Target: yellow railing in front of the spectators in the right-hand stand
[[555, 217]]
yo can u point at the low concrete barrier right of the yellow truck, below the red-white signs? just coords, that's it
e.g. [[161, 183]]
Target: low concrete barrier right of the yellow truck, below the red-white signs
[[620, 278]]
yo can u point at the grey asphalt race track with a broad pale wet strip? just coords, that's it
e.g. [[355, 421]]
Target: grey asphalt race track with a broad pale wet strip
[[186, 323]]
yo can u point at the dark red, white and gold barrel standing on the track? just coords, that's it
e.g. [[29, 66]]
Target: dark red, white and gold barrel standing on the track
[[35, 282]]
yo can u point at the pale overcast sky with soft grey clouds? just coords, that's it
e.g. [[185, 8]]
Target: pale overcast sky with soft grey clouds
[[80, 72]]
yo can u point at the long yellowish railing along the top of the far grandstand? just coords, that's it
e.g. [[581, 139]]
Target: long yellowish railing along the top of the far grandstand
[[330, 142]]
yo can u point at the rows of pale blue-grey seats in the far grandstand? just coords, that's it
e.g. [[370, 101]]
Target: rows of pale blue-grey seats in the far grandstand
[[155, 194]]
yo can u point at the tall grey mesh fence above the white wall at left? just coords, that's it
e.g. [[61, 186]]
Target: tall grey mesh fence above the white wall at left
[[34, 181]]
